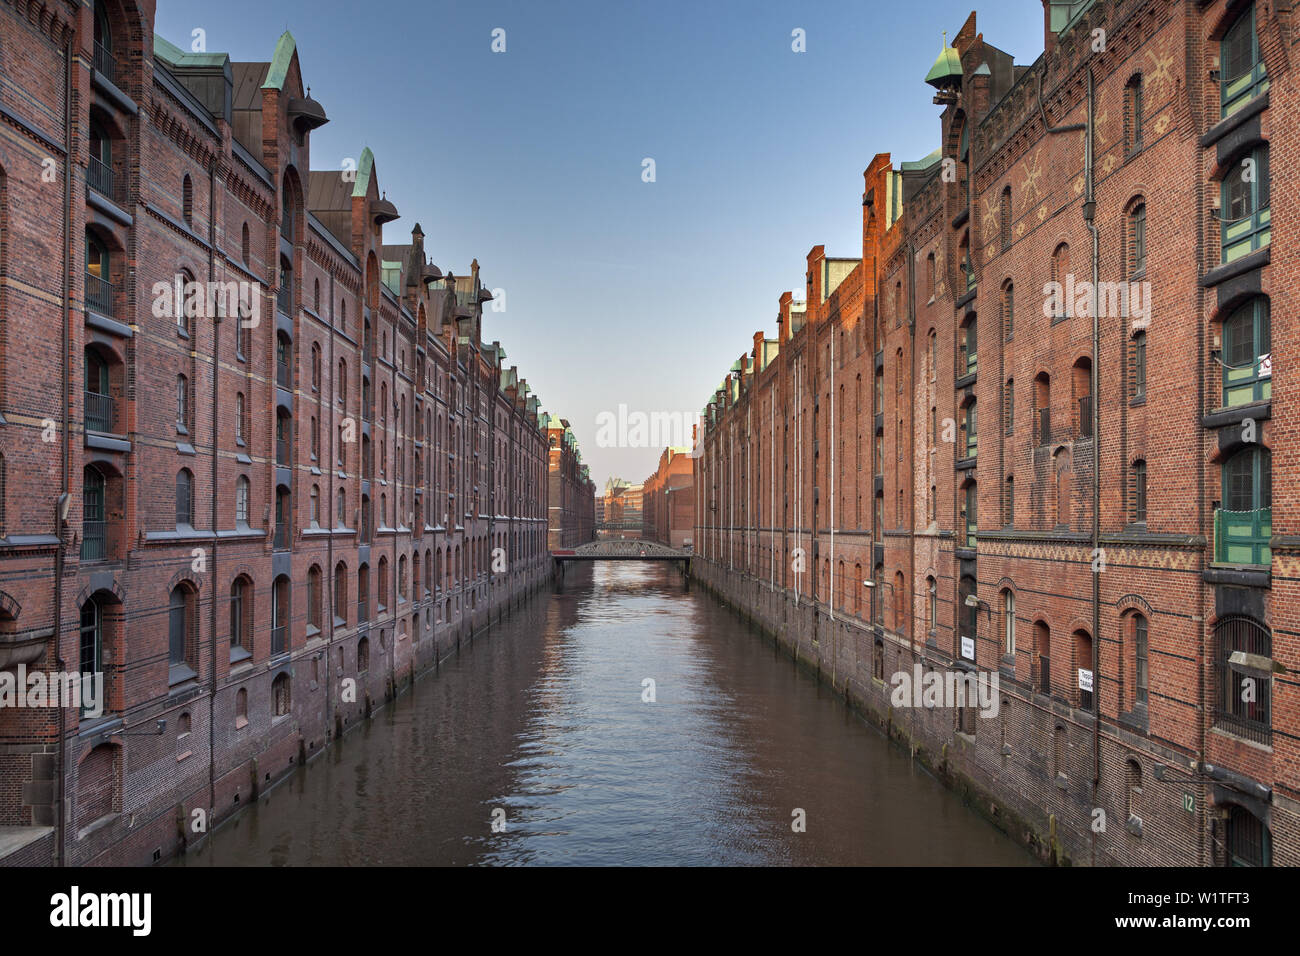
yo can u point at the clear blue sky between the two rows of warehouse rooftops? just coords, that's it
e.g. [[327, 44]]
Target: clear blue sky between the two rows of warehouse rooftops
[[531, 161]]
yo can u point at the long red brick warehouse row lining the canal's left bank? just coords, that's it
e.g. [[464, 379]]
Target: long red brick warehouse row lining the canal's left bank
[[257, 525]]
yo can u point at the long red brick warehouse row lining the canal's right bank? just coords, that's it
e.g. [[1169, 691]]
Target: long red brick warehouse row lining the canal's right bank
[[1030, 434]]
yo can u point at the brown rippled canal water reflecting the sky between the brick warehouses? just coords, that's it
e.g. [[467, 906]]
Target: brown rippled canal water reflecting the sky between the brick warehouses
[[541, 729]]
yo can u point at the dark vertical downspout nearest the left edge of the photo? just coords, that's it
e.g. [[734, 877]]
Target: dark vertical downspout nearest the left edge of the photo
[[60, 843]]
